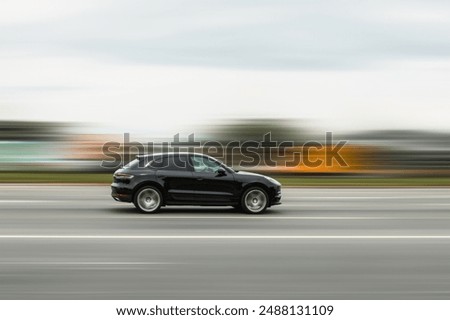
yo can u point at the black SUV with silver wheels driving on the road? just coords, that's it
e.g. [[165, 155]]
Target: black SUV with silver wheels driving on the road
[[152, 181]]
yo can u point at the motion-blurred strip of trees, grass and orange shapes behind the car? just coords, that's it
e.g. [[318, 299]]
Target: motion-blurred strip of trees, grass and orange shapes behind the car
[[63, 152]]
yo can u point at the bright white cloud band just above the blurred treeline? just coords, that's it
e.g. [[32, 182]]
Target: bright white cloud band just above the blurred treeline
[[150, 98]]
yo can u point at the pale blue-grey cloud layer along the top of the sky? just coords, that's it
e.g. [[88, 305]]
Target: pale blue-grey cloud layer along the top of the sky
[[245, 34]]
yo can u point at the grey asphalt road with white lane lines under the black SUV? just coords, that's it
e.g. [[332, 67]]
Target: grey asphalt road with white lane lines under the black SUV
[[75, 242]]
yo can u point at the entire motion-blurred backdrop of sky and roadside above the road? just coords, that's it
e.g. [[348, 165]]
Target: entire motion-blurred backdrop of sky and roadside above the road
[[75, 75]]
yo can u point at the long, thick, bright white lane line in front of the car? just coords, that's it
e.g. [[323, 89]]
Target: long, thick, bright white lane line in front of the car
[[242, 237]]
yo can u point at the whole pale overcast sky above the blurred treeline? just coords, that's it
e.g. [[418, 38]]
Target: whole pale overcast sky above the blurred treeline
[[160, 65]]
